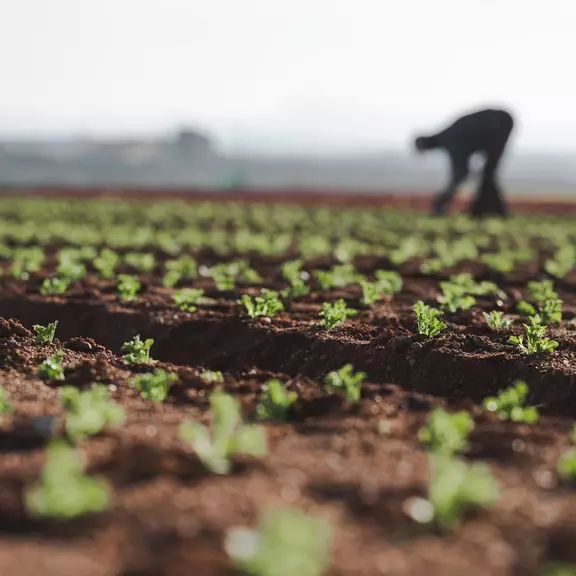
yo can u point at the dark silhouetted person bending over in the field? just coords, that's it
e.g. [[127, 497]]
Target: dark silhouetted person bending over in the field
[[485, 131]]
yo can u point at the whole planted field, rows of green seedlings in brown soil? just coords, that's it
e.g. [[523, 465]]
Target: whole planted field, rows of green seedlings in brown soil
[[225, 387]]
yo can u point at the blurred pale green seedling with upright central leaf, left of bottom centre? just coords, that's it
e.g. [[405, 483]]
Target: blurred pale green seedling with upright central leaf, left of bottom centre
[[227, 437]]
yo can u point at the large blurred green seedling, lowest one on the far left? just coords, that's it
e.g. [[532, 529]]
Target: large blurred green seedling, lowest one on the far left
[[64, 491]]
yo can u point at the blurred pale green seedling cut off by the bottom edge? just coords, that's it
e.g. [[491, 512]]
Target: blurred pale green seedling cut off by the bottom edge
[[288, 542]]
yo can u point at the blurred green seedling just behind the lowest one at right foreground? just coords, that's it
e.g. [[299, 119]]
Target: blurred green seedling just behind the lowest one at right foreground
[[446, 432]]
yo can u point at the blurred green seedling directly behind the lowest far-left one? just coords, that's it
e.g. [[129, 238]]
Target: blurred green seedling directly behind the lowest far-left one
[[90, 411]]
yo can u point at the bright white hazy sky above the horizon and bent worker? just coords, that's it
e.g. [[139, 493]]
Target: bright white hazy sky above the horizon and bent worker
[[279, 73]]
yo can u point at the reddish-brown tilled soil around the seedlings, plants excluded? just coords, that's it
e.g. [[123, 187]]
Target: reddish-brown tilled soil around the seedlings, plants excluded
[[171, 515]]
